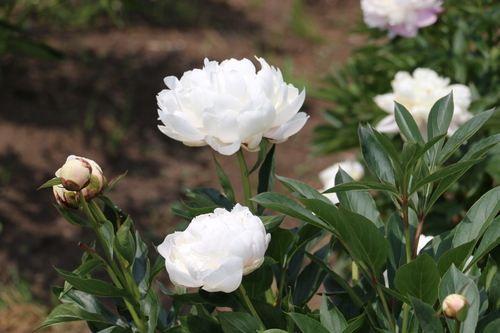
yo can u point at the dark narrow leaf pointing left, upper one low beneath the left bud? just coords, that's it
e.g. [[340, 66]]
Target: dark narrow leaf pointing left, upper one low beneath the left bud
[[92, 286]]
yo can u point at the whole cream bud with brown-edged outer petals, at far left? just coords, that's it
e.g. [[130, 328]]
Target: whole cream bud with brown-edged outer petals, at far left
[[95, 183]]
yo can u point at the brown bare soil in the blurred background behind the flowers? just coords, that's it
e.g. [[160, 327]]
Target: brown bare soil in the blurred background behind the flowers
[[100, 103]]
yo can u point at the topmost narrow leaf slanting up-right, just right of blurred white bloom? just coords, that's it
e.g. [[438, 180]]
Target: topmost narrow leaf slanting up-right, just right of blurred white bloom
[[464, 133]]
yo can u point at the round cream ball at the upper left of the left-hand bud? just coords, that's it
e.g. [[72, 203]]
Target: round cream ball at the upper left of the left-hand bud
[[75, 174]]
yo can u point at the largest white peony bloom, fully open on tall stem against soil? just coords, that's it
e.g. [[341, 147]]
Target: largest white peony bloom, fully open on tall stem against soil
[[230, 105]]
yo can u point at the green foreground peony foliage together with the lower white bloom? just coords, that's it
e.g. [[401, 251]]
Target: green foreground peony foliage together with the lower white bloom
[[238, 268]]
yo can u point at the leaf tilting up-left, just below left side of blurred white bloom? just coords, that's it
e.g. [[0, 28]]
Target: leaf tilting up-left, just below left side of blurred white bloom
[[375, 156]]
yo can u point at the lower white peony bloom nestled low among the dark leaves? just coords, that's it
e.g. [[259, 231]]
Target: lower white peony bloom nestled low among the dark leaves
[[216, 250]]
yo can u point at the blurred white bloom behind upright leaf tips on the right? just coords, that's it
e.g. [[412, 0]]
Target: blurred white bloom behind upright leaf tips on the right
[[418, 93]]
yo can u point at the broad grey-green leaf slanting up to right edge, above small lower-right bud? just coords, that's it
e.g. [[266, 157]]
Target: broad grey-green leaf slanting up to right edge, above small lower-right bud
[[478, 218]]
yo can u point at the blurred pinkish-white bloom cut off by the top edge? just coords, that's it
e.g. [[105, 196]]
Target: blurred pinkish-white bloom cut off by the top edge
[[400, 17]]
